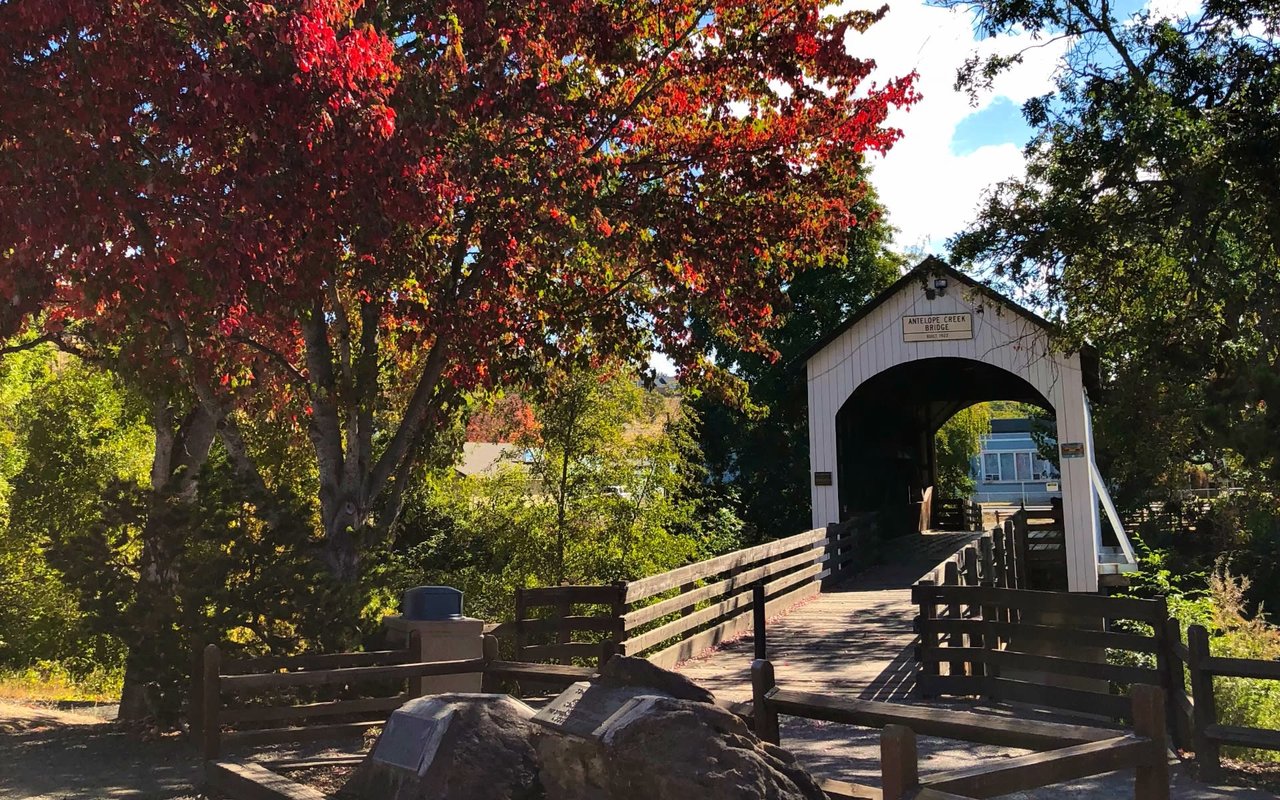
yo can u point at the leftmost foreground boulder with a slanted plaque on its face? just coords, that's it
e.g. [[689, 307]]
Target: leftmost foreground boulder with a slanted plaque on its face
[[452, 747]]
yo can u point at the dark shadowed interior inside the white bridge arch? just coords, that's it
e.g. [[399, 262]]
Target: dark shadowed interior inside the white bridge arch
[[885, 431]]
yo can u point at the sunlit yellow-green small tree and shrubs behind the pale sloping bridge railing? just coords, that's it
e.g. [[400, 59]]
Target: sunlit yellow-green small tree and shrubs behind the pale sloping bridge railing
[[606, 486]]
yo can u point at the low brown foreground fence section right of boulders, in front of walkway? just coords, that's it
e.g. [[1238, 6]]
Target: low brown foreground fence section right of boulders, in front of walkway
[[1067, 752]]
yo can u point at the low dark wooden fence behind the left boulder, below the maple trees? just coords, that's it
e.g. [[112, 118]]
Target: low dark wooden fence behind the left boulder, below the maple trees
[[307, 698]]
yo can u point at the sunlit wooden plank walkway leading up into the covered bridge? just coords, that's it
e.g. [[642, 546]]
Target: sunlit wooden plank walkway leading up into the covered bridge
[[854, 639]]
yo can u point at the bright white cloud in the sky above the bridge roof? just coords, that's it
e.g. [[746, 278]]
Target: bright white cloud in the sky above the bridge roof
[[930, 191]]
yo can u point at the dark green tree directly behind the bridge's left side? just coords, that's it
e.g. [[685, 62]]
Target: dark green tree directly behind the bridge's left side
[[758, 454]]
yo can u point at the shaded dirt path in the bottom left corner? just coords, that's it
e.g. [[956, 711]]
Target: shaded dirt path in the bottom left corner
[[51, 755]]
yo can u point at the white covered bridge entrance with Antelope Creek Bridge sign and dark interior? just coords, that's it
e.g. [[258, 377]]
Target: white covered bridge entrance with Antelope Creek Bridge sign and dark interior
[[929, 346]]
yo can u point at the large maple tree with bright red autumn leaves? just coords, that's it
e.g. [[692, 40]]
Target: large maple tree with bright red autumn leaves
[[364, 211]]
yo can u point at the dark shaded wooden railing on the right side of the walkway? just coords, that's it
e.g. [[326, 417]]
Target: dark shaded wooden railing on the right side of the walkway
[[1046, 648]]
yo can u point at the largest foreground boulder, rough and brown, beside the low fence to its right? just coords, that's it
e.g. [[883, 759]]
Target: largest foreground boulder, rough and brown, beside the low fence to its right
[[662, 748]]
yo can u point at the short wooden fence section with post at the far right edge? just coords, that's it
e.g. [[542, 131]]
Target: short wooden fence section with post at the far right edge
[[1196, 714]]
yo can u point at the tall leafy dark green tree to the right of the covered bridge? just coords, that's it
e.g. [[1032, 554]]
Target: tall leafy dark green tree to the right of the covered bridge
[[1150, 217]]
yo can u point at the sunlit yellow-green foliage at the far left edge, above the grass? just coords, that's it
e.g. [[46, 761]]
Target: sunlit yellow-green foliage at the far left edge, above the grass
[[72, 435]]
